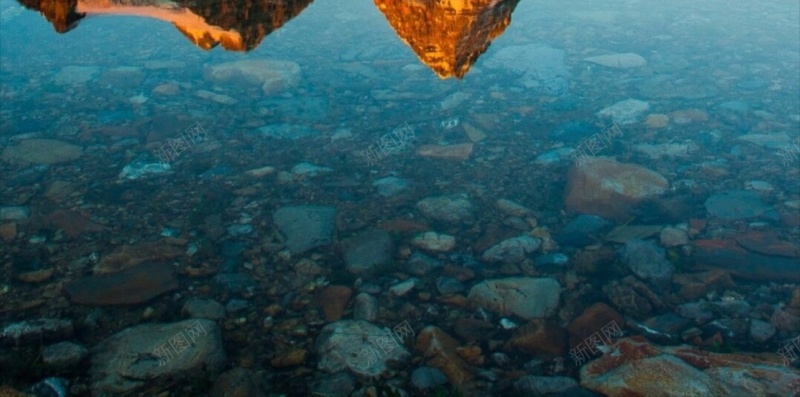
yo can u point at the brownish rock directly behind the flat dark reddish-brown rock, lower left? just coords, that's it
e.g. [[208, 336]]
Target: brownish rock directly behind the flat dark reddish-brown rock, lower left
[[129, 256]]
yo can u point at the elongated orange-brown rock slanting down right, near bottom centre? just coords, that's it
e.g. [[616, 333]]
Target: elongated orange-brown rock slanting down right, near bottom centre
[[440, 351]]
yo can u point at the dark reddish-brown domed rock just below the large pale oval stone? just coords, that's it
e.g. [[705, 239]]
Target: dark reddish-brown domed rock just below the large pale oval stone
[[539, 336]]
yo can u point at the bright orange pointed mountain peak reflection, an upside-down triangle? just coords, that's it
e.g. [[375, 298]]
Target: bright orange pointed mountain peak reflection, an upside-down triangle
[[448, 35]]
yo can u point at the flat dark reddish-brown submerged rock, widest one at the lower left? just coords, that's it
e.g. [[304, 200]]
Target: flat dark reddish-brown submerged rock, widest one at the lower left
[[128, 287]]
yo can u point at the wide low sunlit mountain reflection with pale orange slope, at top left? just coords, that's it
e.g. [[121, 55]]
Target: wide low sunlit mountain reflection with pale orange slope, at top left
[[237, 26]]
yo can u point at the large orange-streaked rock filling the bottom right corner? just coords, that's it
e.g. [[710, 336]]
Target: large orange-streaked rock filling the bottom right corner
[[634, 367]]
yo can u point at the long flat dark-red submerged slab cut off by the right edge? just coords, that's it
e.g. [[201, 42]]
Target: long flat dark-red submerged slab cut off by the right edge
[[728, 255]]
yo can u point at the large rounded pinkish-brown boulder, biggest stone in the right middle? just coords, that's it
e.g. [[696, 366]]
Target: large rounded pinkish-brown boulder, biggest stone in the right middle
[[605, 187]]
